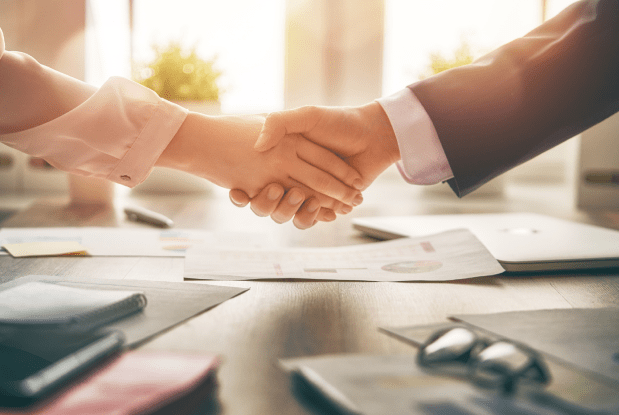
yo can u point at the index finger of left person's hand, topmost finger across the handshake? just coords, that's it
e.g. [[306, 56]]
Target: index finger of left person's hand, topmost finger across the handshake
[[328, 162]]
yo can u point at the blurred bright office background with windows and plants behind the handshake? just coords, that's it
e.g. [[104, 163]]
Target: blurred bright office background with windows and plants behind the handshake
[[243, 56]]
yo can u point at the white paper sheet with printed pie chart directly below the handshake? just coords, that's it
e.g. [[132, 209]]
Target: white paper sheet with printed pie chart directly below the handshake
[[451, 255]]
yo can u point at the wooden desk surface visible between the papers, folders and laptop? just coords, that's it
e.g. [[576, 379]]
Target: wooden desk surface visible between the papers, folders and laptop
[[292, 319]]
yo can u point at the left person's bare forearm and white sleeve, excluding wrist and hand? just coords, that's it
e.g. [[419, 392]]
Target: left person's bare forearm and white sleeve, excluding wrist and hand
[[116, 132]]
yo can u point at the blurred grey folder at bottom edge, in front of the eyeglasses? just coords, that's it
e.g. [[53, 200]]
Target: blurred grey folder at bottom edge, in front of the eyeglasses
[[366, 384]]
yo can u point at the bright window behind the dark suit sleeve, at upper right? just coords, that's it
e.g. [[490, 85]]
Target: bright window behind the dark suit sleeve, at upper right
[[416, 29]]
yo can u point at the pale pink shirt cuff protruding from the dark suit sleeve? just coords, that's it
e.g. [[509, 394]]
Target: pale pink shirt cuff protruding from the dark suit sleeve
[[423, 160]]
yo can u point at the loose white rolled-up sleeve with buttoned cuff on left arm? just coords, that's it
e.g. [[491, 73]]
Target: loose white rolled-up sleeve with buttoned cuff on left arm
[[117, 134]]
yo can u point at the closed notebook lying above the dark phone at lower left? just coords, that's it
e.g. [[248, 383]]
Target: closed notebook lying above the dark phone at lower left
[[45, 306]]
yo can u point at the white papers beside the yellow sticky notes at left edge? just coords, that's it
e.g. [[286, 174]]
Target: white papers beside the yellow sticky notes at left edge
[[110, 241]]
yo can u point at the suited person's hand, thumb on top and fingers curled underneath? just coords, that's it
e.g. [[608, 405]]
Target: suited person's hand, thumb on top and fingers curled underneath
[[362, 136]]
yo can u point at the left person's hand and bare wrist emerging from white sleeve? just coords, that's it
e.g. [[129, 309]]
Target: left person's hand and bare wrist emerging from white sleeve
[[221, 149]]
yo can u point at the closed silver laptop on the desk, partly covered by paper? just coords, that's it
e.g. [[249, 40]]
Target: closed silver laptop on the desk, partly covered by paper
[[521, 242]]
